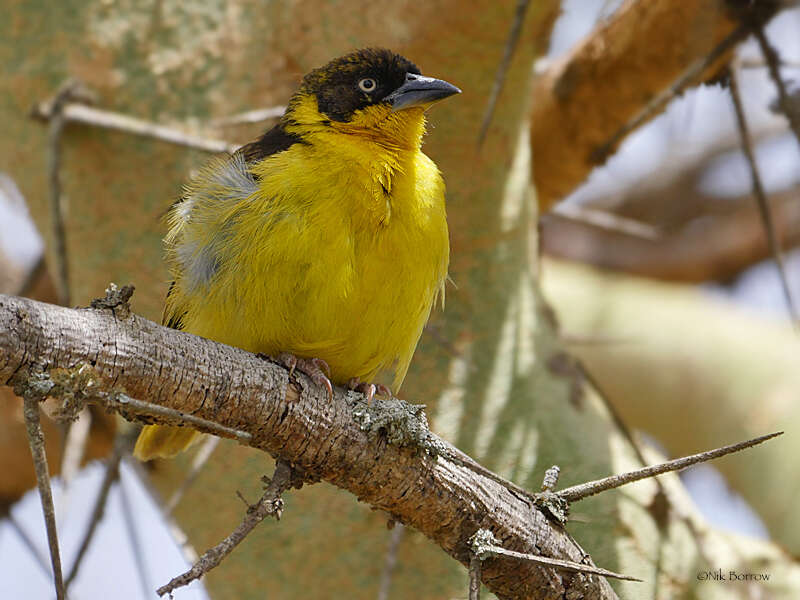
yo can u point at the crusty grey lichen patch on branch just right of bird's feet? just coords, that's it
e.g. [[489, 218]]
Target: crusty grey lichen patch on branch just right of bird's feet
[[404, 425]]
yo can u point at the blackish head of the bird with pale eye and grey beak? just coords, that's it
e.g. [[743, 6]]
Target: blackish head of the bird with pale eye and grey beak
[[369, 77]]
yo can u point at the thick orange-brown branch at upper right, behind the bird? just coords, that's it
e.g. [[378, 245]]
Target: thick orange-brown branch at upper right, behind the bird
[[585, 98]]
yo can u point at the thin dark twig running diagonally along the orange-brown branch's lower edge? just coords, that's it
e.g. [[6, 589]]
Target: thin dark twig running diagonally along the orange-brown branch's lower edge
[[660, 100]]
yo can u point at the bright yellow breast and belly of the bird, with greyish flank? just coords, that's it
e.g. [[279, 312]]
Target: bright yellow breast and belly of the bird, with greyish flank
[[335, 249]]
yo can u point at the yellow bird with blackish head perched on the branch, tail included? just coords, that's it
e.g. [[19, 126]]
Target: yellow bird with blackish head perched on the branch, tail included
[[324, 241]]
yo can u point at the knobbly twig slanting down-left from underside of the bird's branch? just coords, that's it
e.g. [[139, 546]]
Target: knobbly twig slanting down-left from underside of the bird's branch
[[269, 504]]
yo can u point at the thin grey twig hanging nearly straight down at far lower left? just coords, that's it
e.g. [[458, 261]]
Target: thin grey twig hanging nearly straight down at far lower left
[[36, 440]]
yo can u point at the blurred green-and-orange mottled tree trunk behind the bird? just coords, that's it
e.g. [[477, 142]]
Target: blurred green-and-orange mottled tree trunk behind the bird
[[504, 388]]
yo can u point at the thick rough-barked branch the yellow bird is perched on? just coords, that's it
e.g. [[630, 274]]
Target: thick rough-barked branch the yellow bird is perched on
[[383, 453]]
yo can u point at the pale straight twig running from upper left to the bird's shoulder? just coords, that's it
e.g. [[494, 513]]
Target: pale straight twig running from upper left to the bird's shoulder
[[80, 113]]
